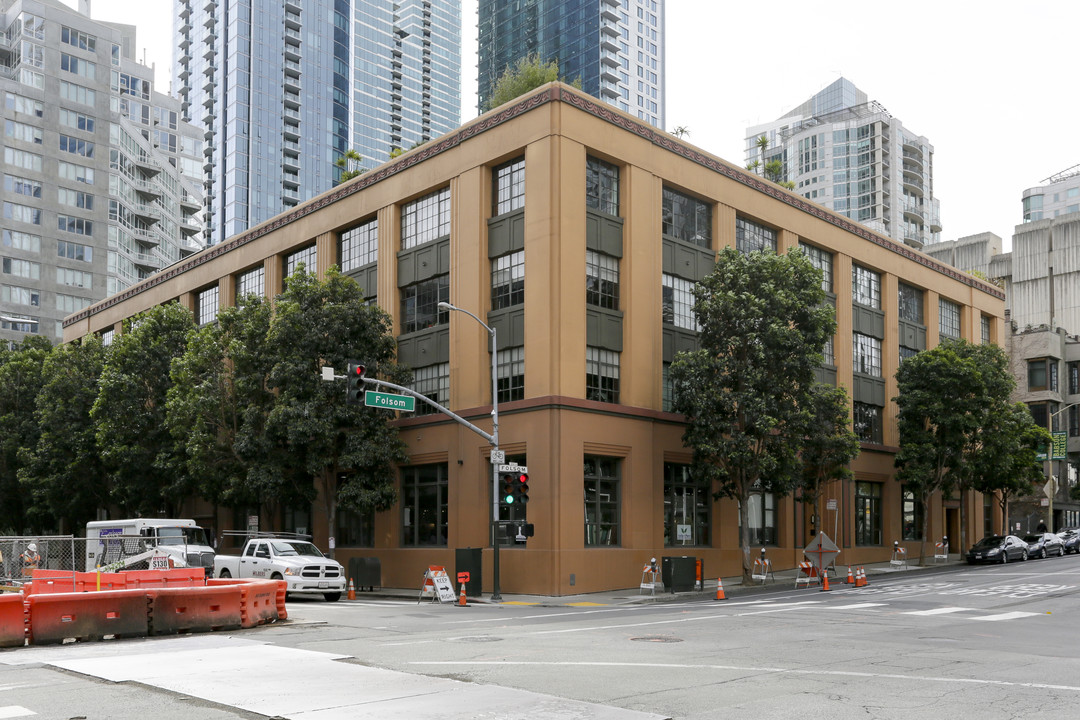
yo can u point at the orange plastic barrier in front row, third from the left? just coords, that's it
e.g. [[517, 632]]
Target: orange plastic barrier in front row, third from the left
[[194, 609]]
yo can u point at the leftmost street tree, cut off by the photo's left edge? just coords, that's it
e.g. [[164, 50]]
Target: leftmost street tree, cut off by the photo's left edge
[[21, 379]]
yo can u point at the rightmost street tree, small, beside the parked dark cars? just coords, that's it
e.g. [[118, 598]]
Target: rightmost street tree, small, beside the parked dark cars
[[1008, 466]]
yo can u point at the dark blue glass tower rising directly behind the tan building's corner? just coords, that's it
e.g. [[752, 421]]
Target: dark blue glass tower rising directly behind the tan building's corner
[[615, 48]]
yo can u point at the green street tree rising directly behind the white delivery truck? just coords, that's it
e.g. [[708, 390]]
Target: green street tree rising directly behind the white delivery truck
[[143, 459]]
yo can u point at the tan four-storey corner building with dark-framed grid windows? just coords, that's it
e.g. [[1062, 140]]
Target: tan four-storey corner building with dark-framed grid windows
[[578, 233]]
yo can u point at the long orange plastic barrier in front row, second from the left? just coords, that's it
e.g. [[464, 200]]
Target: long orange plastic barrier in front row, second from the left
[[56, 618]]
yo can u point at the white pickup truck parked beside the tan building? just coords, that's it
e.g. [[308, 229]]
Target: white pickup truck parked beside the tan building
[[298, 562]]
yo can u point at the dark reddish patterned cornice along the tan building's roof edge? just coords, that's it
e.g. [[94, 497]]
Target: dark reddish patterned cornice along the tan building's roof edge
[[552, 93]]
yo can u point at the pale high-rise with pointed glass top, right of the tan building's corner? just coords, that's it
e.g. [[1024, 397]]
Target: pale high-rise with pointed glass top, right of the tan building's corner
[[852, 156]]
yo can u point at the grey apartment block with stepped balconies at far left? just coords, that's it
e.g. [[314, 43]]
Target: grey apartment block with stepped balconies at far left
[[96, 192]]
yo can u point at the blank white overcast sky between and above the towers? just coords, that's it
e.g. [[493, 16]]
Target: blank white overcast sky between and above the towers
[[990, 85]]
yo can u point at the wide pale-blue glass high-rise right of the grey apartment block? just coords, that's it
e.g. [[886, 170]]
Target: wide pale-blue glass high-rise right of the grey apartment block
[[281, 91]]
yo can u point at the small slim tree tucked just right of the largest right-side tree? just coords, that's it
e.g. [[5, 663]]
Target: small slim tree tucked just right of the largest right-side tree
[[830, 445]]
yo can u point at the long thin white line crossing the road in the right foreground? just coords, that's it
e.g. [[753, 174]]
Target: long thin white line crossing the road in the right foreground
[[775, 671]]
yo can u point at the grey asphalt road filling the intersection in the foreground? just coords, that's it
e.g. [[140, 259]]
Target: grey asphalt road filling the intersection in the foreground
[[971, 643]]
